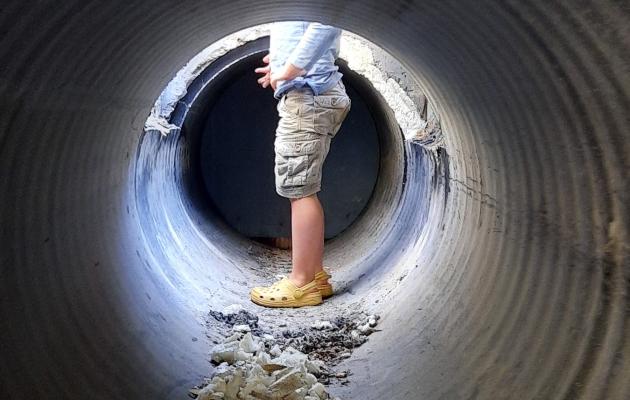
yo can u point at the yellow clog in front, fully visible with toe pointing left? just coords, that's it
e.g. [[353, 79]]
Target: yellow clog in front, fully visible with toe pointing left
[[285, 294]]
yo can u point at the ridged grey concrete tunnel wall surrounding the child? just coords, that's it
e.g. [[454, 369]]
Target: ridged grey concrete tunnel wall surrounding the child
[[499, 262]]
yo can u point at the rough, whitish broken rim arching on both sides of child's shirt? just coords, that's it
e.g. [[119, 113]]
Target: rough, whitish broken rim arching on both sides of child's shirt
[[417, 120]]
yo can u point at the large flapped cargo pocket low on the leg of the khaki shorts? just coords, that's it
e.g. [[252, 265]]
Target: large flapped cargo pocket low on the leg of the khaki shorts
[[294, 161]]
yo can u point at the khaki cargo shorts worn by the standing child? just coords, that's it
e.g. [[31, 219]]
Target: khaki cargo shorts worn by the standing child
[[307, 125]]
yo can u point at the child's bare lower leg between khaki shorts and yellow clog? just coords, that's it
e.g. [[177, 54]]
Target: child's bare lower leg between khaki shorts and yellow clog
[[307, 233]]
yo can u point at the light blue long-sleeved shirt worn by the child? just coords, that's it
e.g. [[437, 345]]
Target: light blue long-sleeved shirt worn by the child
[[307, 45]]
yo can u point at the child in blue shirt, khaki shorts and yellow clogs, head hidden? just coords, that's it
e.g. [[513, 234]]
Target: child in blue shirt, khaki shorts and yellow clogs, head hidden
[[312, 105]]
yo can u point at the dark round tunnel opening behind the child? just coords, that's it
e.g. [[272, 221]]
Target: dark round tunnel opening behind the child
[[235, 120]]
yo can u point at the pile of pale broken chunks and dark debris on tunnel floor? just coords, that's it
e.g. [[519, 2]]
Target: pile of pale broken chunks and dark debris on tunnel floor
[[252, 364]]
